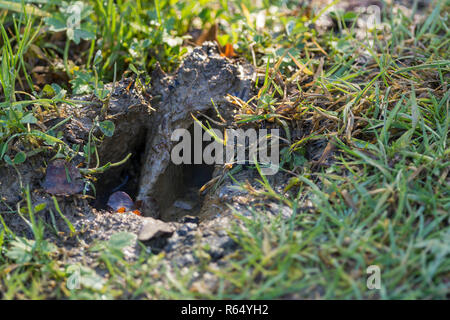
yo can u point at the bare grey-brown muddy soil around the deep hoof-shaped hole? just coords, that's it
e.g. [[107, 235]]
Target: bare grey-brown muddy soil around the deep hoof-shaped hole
[[144, 119]]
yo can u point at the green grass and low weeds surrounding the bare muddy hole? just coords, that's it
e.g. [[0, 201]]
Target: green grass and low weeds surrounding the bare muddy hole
[[378, 195]]
